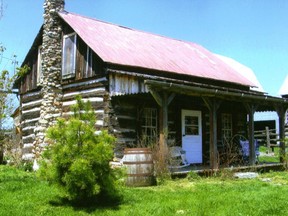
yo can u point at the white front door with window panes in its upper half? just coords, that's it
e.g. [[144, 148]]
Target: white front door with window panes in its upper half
[[192, 135]]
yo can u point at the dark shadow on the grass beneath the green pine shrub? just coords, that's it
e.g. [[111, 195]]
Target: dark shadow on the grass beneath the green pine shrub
[[90, 205]]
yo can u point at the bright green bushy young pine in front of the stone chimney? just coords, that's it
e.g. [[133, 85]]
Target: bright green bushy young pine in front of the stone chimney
[[77, 159]]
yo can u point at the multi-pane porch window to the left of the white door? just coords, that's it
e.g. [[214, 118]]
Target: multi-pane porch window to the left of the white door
[[149, 126]]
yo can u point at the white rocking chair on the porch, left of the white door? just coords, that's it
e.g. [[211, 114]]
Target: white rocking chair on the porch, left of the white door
[[177, 157]]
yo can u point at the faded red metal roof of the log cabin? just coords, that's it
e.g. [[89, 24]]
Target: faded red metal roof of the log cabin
[[120, 45]]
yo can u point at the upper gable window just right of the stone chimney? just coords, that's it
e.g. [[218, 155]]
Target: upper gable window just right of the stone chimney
[[69, 56]]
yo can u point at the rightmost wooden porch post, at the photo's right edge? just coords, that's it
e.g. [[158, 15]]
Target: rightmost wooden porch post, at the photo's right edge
[[281, 114]]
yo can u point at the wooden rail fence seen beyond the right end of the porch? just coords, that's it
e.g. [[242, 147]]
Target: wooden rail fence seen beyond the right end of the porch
[[269, 137]]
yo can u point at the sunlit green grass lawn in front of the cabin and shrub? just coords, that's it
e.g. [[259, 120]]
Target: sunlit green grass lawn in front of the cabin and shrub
[[22, 193]]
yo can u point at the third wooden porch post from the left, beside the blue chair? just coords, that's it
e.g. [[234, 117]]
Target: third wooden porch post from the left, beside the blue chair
[[252, 151]]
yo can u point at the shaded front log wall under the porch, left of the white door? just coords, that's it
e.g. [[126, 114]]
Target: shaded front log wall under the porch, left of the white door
[[125, 120]]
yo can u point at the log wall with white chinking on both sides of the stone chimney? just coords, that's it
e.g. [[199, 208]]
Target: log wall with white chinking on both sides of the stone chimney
[[93, 90]]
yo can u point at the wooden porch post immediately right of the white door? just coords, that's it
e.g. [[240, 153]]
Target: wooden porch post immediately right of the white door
[[213, 106]]
